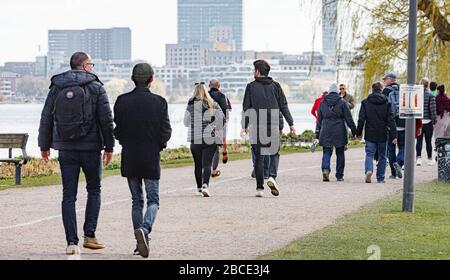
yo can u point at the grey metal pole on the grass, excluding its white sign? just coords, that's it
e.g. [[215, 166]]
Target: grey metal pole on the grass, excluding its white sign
[[410, 154]]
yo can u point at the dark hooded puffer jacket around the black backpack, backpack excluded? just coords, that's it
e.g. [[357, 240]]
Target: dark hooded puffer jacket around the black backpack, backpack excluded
[[100, 136]]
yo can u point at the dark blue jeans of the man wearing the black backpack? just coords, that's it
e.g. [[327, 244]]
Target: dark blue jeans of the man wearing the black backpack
[[71, 163]]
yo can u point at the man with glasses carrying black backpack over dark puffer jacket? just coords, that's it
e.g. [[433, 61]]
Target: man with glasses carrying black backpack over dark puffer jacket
[[77, 121]]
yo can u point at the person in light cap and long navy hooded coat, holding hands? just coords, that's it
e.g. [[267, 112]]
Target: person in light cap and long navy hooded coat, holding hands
[[334, 114]]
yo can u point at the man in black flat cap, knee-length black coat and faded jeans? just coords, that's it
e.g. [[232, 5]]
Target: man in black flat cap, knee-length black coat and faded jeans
[[143, 129]]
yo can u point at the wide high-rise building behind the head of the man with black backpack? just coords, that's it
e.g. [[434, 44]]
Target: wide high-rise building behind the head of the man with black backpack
[[101, 44]]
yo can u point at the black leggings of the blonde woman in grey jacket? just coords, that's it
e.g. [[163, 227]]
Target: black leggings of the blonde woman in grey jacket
[[203, 157]]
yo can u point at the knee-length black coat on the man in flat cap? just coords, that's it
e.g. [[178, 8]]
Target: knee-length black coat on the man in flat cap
[[143, 129]]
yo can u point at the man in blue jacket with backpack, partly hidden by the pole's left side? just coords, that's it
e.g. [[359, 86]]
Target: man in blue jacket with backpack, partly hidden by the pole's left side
[[392, 92]]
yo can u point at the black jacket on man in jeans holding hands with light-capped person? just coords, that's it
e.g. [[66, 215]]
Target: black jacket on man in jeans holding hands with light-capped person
[[377, 117]]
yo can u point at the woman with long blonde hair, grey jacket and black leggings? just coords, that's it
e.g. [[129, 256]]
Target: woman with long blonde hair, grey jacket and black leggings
[[205, 120]]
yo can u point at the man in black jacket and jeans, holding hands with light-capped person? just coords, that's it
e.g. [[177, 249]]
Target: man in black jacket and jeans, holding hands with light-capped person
[[378, 119]]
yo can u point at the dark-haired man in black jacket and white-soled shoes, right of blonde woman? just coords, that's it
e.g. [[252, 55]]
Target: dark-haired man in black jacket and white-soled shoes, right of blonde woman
[[263, 101]]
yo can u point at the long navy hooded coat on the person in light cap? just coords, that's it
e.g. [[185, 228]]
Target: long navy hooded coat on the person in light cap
[[333, 116]]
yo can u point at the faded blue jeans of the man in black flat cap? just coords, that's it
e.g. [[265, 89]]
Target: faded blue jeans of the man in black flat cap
[[140, 220]]
